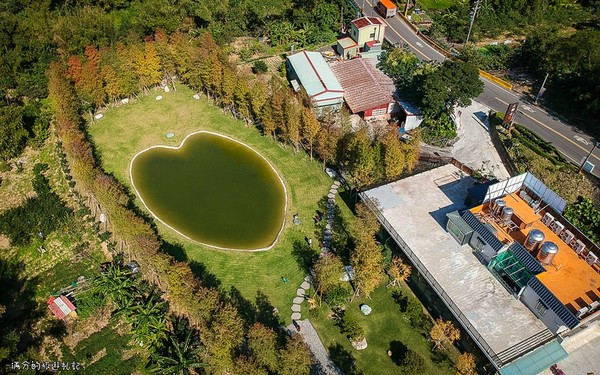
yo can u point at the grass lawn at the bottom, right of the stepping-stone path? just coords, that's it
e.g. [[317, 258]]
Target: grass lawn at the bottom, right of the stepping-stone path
[[385, 328]]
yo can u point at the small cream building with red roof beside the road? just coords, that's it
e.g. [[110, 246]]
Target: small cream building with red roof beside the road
[[366, 33]]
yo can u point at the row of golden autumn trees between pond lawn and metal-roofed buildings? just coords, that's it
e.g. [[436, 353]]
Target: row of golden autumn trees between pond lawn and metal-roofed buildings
[[106, 75]]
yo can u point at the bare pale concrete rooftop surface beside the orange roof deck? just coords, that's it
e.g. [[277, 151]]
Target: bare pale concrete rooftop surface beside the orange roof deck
[[416, 208]]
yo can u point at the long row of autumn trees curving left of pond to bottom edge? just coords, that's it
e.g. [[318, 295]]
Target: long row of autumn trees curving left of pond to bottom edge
[[220, 326]]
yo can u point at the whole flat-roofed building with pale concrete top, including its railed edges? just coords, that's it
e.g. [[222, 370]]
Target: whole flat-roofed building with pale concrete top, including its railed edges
[[415, 211]]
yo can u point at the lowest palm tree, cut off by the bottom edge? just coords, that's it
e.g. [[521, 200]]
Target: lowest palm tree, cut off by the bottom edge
[[180, 355]]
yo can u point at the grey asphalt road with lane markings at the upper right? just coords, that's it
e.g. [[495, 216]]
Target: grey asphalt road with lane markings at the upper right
[[570, 141]]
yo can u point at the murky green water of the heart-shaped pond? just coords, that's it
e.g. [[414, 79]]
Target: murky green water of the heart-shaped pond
[[212, 190]]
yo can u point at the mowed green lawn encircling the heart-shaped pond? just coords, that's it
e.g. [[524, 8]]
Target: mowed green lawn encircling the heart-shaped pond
[[128, 129]]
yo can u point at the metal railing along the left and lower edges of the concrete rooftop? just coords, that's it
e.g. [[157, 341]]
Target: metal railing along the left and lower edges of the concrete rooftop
[[497, 359]]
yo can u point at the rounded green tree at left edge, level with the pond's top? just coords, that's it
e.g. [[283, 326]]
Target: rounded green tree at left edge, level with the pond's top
[[13, 134]]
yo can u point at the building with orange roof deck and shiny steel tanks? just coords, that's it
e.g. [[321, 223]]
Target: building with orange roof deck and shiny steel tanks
[[546, 261]]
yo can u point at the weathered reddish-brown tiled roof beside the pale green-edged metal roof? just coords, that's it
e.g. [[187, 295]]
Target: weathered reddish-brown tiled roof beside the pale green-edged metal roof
[[365, 86]]
